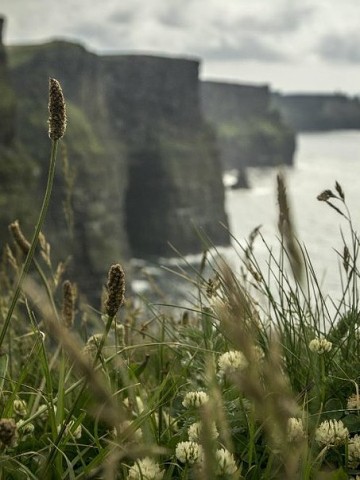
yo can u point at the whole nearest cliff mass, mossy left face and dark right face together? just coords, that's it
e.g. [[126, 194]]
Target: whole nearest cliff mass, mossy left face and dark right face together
[[141, 169]]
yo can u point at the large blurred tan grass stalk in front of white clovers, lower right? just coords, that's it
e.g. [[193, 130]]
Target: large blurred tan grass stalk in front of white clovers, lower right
[[263, 382]]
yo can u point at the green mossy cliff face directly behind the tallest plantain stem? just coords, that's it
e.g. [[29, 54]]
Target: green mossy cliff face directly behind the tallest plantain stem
[[85, 220]]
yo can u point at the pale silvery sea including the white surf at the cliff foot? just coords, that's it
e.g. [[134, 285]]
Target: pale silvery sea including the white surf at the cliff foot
[[320, 160]]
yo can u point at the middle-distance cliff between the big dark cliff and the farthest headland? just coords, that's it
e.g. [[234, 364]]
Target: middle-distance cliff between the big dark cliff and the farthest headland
[[250, 131]]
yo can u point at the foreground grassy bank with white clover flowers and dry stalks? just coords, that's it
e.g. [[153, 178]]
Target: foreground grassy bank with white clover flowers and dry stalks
[[257, 380]]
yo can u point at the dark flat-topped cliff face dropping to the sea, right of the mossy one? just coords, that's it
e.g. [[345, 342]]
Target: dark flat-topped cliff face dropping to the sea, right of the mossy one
[[174, 174]]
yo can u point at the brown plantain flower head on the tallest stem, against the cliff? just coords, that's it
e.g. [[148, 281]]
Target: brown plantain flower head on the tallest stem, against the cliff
[[57, 110]]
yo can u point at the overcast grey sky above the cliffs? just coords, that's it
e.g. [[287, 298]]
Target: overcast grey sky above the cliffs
[[295, 45]]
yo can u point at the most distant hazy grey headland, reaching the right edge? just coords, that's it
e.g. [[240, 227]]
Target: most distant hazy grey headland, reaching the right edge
[[319, 112]]
